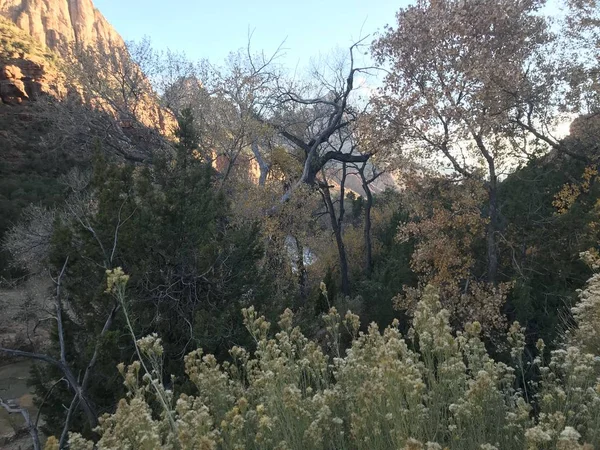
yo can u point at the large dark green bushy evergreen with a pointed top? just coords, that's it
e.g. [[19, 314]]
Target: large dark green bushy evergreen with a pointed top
[[191, 271]]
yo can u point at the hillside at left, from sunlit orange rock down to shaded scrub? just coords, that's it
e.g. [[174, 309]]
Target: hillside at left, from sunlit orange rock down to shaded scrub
[[47, 122]]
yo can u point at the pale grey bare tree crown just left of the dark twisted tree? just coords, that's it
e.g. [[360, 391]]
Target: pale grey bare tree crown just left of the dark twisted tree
[[226, 101]]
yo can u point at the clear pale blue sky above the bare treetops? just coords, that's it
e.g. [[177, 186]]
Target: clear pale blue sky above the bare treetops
[[211, 29]]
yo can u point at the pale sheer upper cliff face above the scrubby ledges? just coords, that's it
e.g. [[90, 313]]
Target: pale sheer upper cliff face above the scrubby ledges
[[57, 24]]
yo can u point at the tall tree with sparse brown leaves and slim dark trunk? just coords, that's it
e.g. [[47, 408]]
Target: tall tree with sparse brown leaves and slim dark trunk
[[444, 95]]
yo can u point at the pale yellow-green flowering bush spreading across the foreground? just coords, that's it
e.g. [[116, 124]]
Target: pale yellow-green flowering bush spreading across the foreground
[[431, 389]]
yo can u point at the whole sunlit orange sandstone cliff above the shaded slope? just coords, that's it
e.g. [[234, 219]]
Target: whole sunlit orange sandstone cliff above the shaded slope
[[39, 38]]
